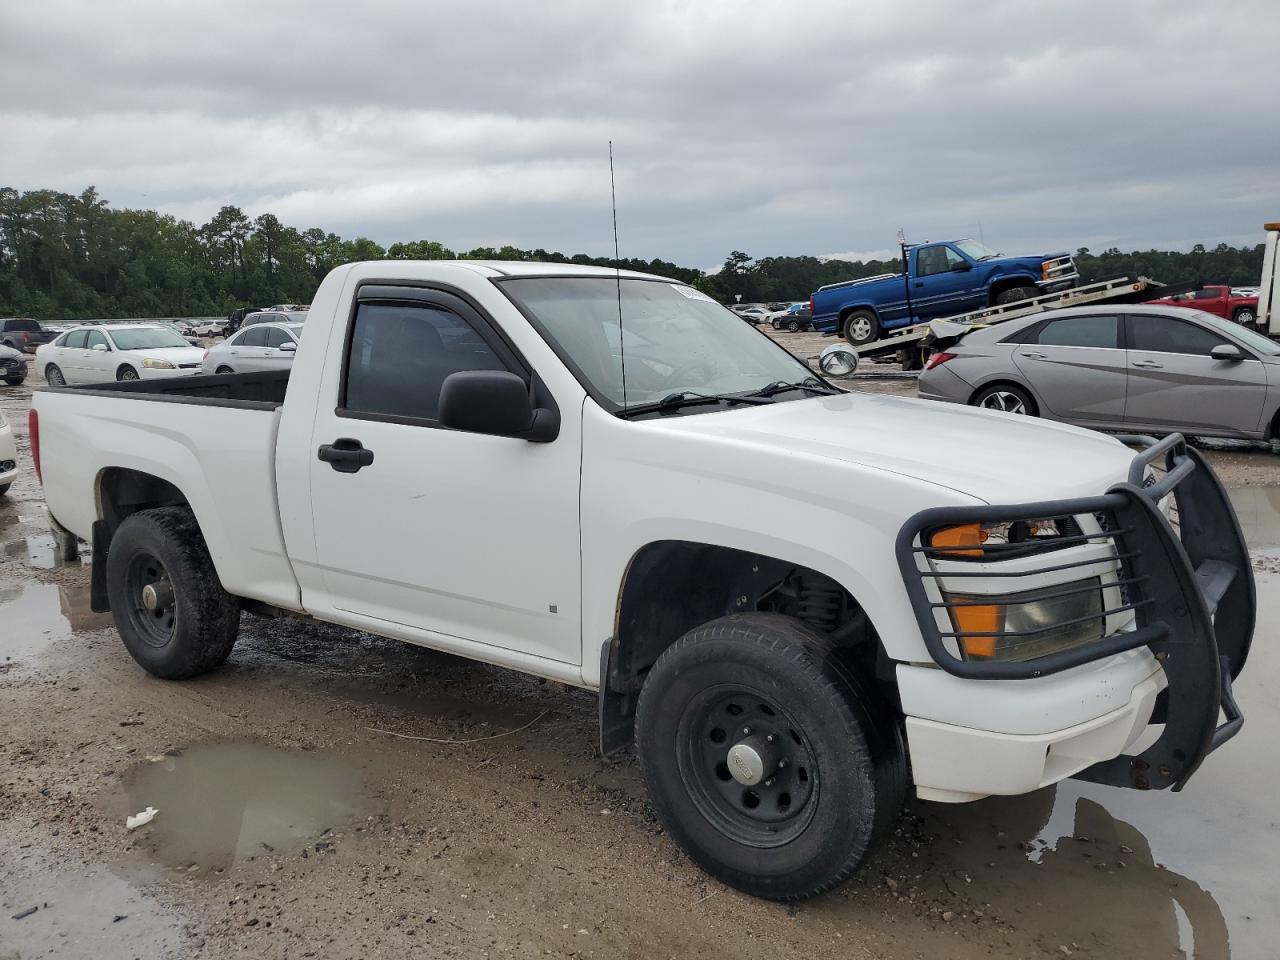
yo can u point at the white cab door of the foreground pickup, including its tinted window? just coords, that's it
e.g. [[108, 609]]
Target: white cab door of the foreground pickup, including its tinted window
[[449, 532]]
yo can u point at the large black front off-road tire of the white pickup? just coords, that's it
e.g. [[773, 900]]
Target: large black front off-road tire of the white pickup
[[845, 732]]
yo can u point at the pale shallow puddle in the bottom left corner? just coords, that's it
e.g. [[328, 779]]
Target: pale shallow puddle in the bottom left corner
[[86, 915]]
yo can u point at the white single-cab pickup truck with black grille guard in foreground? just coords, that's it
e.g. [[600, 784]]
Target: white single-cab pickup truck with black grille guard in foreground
[[796, 601]]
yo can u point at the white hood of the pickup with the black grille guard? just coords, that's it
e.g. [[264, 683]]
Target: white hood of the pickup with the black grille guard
[[986, 455]]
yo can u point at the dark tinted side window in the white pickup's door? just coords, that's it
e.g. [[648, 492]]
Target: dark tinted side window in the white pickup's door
[[400, 356]]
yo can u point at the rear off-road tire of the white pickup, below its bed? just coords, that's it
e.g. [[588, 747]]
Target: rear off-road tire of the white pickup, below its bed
[[207, 619]]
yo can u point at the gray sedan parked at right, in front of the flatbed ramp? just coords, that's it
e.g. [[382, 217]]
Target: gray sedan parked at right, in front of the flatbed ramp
[[1137, 369]]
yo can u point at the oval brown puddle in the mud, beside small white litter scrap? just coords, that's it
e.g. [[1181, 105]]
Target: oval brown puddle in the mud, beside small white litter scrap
[[234, 802]]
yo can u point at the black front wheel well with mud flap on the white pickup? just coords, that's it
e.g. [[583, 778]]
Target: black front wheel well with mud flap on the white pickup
[[673, 587]]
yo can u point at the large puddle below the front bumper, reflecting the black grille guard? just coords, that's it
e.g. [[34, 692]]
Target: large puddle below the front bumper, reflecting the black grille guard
[[1133, 875]]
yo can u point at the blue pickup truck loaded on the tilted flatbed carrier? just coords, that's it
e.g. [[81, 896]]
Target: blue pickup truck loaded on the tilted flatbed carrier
[[941, 280]]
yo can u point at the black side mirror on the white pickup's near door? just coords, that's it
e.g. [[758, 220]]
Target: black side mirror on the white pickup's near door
[[495, 403]]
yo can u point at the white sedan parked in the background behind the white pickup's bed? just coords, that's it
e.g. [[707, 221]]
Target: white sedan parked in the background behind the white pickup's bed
[[108, 353]]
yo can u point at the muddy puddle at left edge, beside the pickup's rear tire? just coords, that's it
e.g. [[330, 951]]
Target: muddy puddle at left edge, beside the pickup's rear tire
[[34, 616]]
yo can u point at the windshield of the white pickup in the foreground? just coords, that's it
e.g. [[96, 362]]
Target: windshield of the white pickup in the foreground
[[678, 340]]
